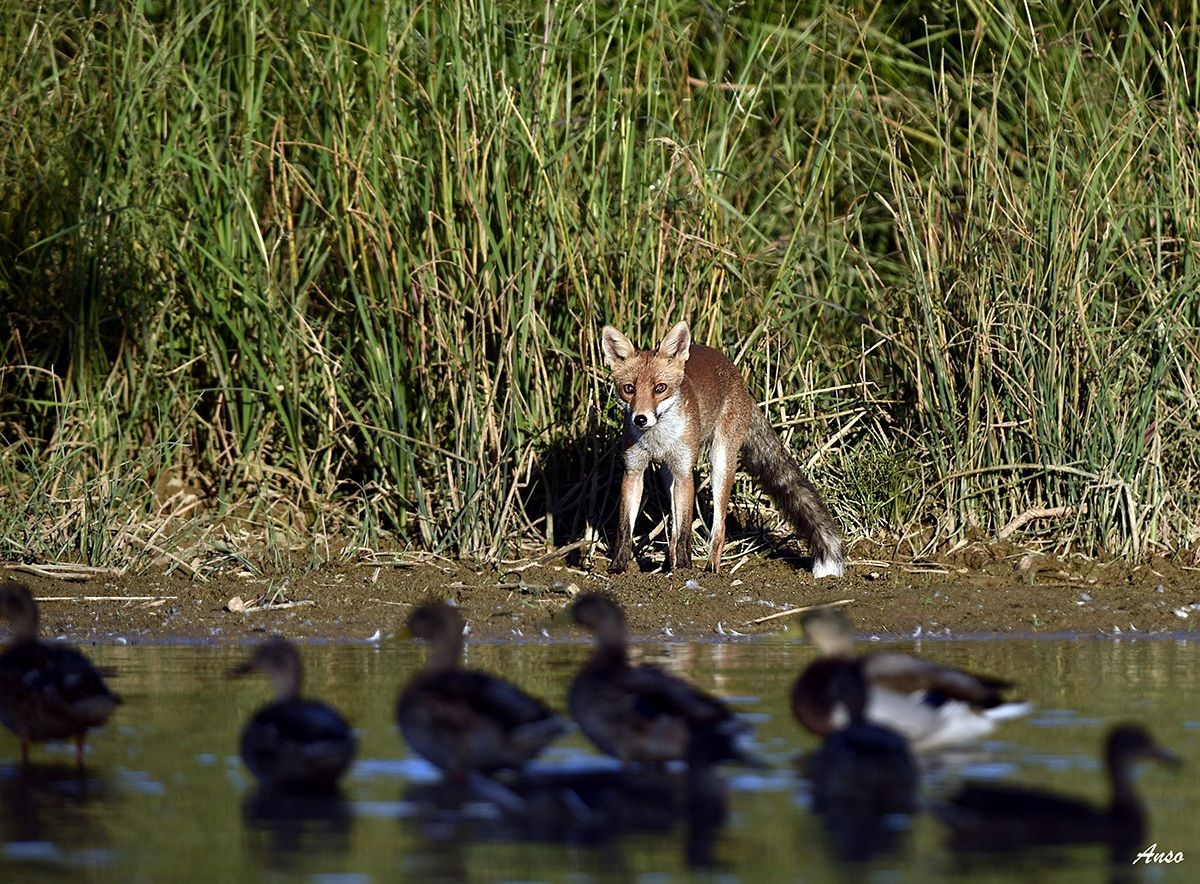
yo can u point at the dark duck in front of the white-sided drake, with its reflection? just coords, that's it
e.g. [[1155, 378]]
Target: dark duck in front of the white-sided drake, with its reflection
[[865, 778]]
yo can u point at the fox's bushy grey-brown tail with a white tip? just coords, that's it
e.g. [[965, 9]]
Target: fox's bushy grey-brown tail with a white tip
[[765, 458]]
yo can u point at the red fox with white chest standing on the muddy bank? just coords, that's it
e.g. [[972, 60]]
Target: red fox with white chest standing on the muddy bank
[[679, 398]]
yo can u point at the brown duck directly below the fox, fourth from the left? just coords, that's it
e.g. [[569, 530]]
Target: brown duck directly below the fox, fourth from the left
[[641, 713]]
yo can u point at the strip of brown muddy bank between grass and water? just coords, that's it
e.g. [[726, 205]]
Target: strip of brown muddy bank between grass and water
[[979, 592]]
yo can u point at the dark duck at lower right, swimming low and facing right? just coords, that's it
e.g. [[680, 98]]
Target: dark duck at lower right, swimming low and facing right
[[988, 817]]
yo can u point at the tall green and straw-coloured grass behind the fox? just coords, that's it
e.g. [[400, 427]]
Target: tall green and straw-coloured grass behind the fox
[[285, 281]]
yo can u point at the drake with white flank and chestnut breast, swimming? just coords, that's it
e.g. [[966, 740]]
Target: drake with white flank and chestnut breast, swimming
[[933, 707]]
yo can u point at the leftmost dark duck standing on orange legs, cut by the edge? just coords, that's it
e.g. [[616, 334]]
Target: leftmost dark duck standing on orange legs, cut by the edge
[[47, 691]]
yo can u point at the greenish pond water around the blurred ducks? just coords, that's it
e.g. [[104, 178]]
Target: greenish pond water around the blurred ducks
[[164, 796]]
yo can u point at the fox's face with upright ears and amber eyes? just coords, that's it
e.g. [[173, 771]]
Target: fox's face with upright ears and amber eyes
[[647, 382]]
